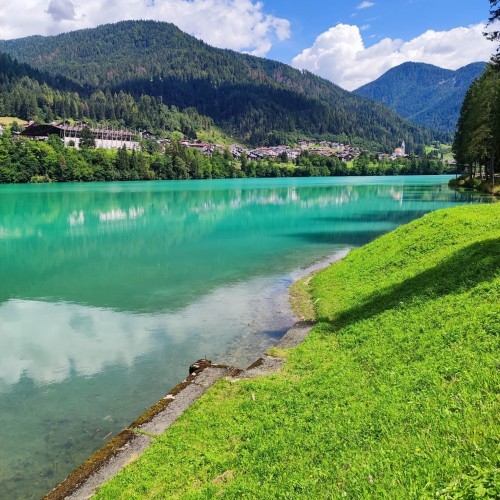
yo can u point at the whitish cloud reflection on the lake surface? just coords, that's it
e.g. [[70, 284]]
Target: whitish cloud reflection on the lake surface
[[49, 342]]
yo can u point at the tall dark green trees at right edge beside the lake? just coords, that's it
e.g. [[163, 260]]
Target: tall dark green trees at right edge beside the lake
[[477, 140]]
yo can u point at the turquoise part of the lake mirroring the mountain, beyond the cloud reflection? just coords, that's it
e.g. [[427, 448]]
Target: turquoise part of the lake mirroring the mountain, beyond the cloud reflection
[[136, 248]]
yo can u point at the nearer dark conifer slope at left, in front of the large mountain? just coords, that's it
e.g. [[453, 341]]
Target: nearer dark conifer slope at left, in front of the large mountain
[[29, 93]]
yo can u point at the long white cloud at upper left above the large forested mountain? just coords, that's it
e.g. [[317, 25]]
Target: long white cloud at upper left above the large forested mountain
[[234, 24]]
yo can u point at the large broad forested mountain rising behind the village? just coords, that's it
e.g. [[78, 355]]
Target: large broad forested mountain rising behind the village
[[256, 99]]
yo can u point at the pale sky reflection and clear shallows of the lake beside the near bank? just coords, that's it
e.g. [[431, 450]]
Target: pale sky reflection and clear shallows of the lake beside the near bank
[[89, 372]]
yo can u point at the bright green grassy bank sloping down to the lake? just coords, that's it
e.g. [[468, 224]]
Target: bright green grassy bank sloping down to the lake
[[393, 395]]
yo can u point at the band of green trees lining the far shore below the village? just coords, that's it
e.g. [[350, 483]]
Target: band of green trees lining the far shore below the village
[[25, 161]]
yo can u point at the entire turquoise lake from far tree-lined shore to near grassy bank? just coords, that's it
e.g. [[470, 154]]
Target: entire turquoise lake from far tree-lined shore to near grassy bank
[[108, 292]]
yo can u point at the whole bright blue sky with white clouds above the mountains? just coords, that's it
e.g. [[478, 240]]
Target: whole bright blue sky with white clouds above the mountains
[[347, 42]]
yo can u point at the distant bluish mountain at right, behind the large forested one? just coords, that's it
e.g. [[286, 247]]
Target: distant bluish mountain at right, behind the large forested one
[[423, 93]]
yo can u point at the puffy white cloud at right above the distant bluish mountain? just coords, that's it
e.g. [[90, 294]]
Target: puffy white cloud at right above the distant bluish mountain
[[340, 55]]
